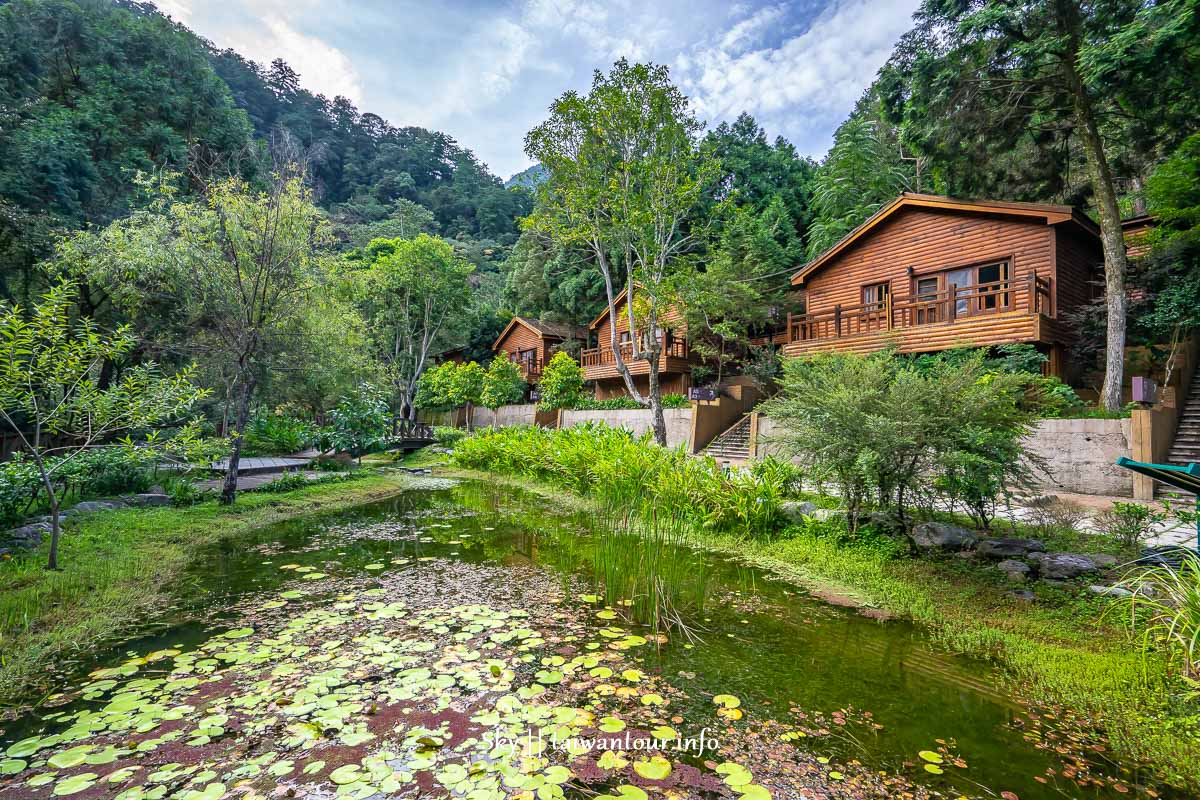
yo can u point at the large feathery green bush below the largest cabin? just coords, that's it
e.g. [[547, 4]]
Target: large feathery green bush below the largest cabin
[[902, 432]]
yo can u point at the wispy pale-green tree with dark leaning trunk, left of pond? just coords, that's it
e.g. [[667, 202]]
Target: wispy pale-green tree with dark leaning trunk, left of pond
[[238, 269]]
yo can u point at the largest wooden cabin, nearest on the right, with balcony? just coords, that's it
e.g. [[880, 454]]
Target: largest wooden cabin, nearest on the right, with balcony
[[931, 273]]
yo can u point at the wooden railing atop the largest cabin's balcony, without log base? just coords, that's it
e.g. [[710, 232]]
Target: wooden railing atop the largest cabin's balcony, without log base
[[951, 305]]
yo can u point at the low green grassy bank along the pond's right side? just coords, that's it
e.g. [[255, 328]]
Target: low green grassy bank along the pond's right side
[[1058, 651]]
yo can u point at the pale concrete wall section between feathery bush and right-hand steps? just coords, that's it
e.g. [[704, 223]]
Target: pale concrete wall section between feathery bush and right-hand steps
[[1082, 455]]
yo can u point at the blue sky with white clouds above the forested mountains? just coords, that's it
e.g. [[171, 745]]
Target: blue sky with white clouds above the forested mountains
[[485, 71]]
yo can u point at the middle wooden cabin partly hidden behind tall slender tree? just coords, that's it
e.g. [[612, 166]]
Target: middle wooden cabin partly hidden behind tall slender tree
[[601, 363]]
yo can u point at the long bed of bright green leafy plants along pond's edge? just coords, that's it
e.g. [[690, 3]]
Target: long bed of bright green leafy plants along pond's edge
[[633, 477]]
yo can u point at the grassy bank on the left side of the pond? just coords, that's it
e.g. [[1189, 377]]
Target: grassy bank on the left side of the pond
[[118, 570]]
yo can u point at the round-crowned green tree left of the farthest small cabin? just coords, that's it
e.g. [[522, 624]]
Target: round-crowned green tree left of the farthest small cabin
[[415, 293]]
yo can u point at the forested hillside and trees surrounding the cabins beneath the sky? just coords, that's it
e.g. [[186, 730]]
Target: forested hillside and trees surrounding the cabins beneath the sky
[[157, 173]]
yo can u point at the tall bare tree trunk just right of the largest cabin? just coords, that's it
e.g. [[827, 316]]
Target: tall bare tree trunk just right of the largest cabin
[[1112, 238]]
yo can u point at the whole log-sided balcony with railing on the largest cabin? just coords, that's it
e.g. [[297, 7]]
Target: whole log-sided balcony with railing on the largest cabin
[[1003, 312]]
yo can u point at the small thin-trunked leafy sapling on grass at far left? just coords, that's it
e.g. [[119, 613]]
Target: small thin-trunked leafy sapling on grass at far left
[[52, 395]]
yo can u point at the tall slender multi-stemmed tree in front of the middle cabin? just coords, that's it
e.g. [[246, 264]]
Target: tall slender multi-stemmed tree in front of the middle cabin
[[623, 172]]
